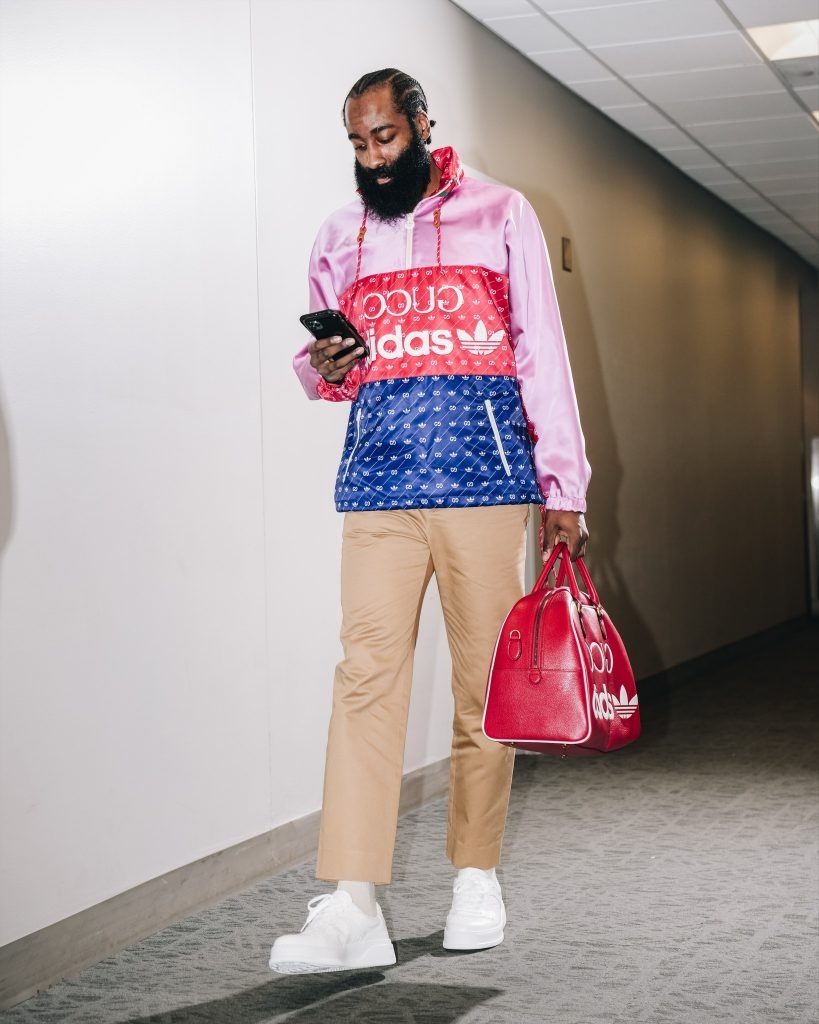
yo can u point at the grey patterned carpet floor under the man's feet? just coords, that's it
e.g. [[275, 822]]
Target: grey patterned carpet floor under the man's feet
[[676, 882]]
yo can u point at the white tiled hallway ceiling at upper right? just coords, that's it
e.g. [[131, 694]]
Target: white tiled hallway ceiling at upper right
[[687, 78]]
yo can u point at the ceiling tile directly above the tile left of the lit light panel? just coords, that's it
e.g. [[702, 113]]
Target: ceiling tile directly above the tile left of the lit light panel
[[638, 23]]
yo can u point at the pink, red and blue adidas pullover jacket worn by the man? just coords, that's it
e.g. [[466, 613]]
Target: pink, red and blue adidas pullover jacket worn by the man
[[466, 397]]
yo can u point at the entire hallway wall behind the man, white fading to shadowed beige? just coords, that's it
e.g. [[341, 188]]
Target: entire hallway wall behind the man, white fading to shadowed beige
[[170, 554]]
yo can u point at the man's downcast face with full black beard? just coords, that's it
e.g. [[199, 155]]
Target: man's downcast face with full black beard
[[393, 166]]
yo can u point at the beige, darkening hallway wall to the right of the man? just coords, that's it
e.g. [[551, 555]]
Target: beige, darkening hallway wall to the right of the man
[[683, 327]]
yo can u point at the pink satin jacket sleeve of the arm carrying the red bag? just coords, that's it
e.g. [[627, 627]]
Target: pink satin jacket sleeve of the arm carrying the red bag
[[543, 367]]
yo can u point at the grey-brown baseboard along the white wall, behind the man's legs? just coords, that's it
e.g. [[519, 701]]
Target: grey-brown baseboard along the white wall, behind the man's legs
[[35, 962]]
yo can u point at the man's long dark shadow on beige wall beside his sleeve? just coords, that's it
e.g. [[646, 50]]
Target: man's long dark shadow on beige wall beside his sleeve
[[604, 520]]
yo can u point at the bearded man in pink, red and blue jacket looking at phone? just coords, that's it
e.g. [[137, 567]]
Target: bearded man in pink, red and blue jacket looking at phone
[[463, 415]]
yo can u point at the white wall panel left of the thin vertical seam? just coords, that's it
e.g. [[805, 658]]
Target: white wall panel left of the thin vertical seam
[[133, 657]]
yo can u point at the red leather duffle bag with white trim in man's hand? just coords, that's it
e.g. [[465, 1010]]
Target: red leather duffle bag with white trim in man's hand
[[561, 681]]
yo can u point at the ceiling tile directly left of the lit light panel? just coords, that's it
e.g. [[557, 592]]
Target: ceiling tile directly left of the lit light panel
[[664, 57]]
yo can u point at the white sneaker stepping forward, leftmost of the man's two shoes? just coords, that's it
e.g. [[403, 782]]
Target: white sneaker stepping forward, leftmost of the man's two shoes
[[337, 936]]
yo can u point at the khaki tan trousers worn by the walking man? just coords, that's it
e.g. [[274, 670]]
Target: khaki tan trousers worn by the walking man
[[478, 556]]
